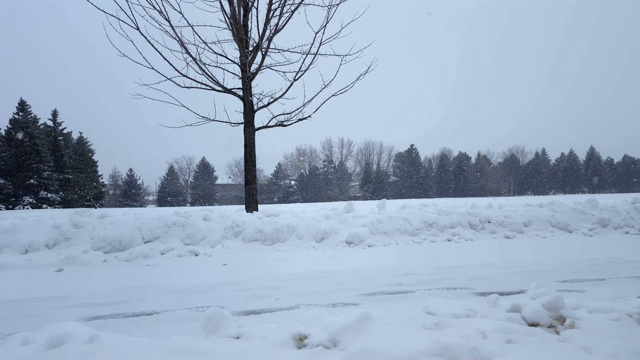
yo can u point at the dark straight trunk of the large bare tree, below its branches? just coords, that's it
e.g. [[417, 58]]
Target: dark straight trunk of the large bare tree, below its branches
[[250, 165]]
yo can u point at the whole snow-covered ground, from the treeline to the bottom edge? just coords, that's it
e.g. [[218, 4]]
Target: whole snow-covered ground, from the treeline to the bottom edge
[[500, 278]]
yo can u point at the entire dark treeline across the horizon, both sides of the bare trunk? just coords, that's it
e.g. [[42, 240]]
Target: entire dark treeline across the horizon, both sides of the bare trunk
[[42, 165]]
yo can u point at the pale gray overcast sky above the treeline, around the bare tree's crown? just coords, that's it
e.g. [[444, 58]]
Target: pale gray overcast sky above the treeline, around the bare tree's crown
[[470, 75]]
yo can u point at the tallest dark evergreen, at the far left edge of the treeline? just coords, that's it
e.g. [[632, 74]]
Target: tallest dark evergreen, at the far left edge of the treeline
[[27, 164]]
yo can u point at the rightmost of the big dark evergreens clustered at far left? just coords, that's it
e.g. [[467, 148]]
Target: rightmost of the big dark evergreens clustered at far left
[[85, 187]]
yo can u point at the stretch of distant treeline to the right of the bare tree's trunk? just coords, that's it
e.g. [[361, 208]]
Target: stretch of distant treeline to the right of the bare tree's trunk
[[340, 170]]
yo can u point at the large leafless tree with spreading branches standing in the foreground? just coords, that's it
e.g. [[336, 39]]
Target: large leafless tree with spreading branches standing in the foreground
[[264, 54]]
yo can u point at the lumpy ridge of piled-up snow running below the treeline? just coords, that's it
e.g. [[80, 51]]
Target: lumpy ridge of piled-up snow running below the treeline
[[129, 234]]
